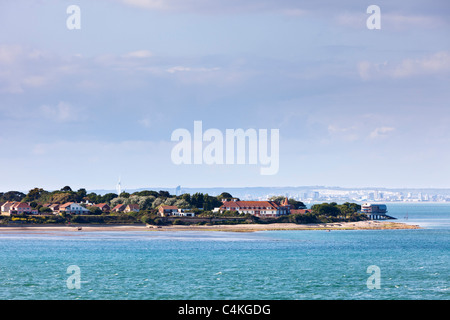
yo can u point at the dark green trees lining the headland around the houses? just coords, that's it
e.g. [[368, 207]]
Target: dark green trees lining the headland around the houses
[[150, 200]]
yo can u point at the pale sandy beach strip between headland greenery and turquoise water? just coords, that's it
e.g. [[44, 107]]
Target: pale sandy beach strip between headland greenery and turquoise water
[[359, 225]]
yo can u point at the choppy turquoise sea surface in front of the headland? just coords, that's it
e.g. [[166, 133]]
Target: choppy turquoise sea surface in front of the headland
[[413, 264]]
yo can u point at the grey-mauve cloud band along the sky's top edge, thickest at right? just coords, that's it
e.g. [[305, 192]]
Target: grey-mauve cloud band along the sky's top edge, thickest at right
[[350, 13]]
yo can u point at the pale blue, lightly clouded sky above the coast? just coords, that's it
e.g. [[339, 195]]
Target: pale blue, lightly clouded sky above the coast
[[354, 107]]
